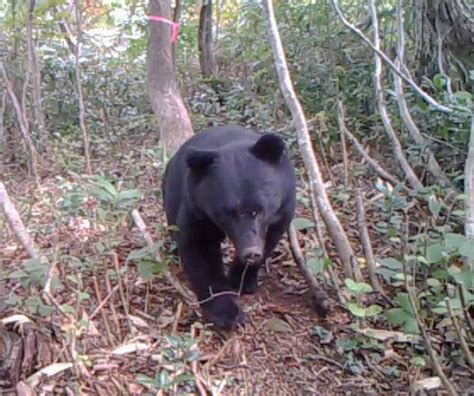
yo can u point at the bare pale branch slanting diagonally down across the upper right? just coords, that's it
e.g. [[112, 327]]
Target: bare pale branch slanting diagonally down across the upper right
[[389, 62]]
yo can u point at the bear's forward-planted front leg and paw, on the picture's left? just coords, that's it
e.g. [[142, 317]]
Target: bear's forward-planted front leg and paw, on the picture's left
[[202, 262]]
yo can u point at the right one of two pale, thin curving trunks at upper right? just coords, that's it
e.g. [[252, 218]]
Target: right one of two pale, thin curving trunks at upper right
[[433, 165]]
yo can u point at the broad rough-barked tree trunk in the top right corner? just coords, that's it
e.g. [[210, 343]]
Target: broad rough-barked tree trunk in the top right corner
[[449, 20]]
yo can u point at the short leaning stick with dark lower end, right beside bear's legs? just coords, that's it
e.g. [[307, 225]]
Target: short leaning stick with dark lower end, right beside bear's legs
[[321, 300]]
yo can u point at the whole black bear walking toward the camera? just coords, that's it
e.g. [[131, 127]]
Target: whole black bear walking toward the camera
[[228, 181]]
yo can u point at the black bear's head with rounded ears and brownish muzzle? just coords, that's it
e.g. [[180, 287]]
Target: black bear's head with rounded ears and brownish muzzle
[[241, 188]]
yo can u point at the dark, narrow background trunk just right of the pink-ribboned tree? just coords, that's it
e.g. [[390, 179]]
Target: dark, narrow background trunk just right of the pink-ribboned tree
[[206, 54]]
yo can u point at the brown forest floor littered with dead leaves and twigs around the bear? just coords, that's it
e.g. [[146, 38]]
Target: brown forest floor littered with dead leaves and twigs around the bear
[[115, 326]]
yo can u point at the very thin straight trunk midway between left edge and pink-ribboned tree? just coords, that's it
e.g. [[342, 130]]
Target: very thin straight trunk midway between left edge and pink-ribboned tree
[[82, 109]]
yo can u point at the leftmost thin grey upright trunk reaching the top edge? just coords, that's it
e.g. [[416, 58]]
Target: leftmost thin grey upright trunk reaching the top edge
[[35, 72]]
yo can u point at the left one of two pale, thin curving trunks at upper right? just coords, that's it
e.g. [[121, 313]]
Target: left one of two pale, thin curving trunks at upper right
[[379, 92]]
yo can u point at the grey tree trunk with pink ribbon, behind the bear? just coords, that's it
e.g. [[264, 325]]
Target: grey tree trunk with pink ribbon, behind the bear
[[174, 122]]
